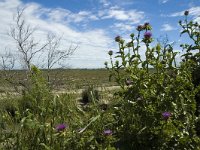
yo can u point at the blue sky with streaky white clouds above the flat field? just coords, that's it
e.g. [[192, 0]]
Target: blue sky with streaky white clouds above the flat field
[[93, 24]]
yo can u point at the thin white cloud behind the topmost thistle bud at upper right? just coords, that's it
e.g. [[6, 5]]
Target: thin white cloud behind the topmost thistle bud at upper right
[[193, 11]]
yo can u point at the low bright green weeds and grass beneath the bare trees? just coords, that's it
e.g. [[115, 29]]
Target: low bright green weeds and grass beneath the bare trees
[[34, 125]]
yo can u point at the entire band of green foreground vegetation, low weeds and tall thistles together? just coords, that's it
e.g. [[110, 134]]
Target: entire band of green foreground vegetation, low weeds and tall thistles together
[[152, 110]]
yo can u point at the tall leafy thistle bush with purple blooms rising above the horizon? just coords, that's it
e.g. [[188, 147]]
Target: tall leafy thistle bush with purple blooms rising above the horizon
[[146, 95]]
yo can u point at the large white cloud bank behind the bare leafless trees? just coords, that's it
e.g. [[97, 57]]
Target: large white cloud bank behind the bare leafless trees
[[92, 44]]
